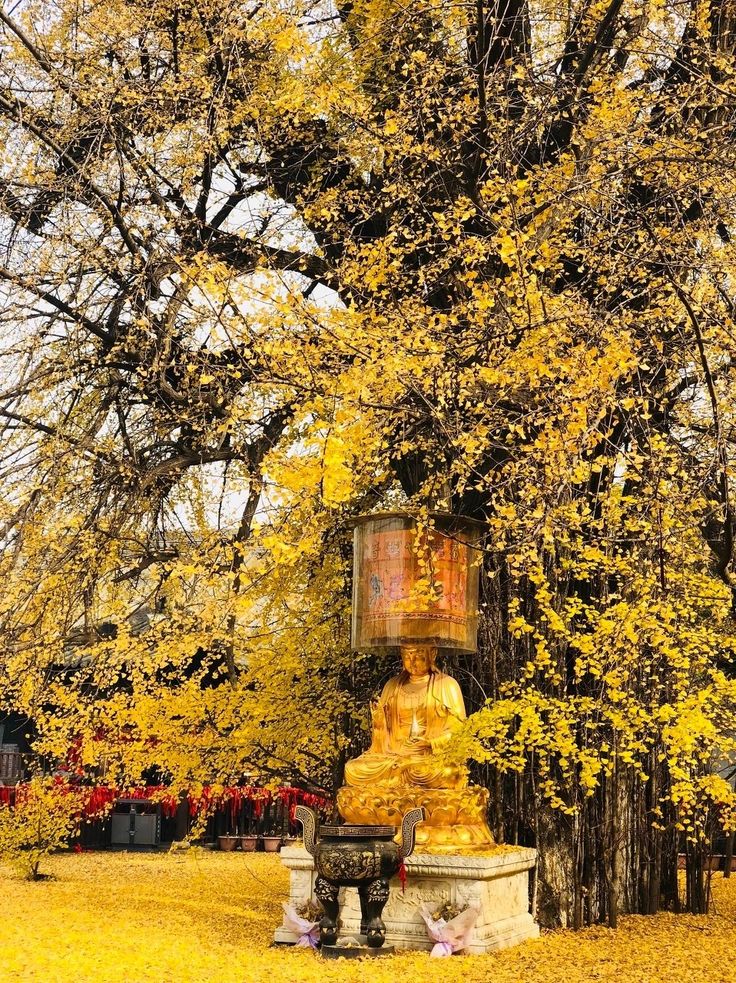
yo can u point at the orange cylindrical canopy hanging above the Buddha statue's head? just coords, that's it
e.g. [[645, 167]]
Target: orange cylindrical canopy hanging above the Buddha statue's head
[[416, 583]]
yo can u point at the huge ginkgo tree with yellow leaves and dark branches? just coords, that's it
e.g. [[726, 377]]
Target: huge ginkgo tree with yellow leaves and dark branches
[[269, 265]]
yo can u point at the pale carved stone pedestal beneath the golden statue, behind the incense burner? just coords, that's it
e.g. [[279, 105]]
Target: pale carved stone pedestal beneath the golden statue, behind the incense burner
[[497, 884]]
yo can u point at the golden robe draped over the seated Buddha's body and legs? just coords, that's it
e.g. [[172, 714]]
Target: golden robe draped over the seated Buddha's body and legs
[[433, 713]]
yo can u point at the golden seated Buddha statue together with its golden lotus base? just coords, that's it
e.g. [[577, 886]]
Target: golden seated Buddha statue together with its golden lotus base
[[417, 714]]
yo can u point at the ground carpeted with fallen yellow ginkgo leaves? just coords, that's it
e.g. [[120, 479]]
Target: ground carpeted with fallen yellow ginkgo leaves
[[199, 916]]
